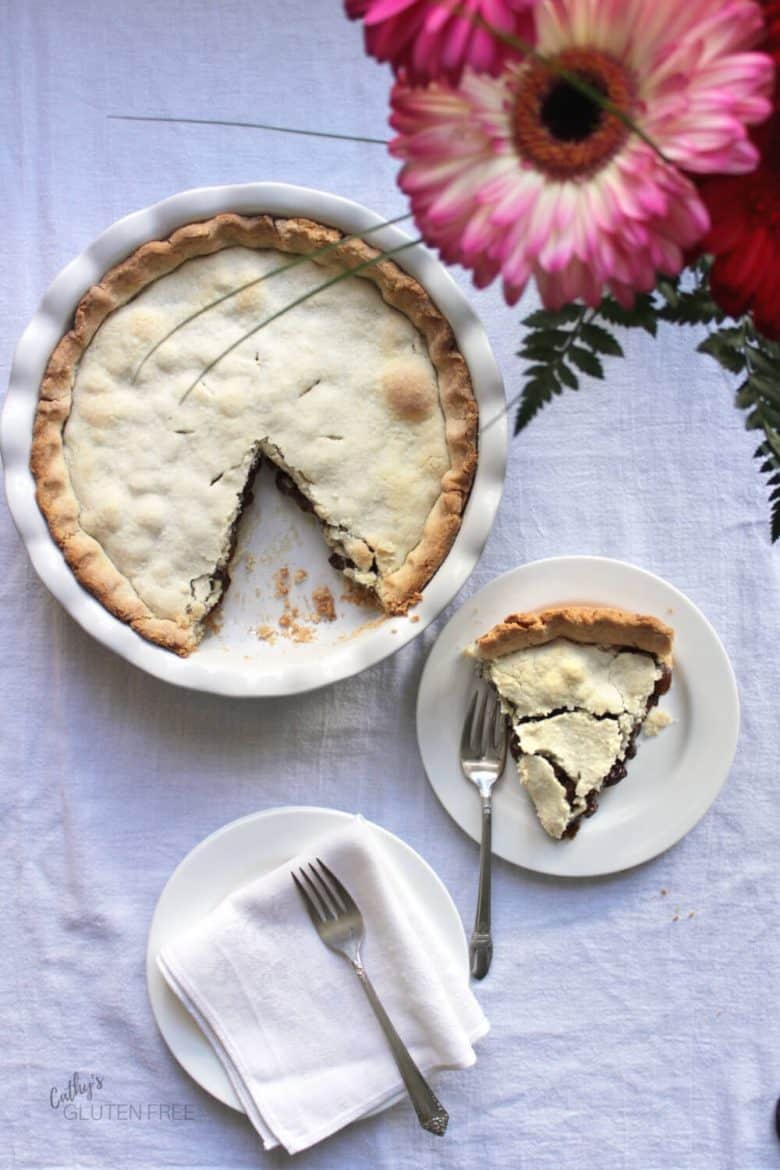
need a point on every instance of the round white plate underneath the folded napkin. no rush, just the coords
(231, 858)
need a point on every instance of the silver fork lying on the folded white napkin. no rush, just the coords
(340, 925)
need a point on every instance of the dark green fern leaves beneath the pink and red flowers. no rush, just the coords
(567, 343)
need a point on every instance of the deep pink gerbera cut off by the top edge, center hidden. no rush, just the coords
(432, 39)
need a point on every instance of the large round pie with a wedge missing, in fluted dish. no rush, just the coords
(184, 370)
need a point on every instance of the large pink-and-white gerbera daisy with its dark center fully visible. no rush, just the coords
(524, 176)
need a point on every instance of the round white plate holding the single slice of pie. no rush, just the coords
(674, 779)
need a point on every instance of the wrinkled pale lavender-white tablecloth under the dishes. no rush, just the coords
(631, 1030)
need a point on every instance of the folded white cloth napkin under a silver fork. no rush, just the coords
(288, 1017)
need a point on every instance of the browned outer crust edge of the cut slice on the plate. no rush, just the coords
(590, 624)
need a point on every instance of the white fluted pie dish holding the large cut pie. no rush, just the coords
(234, 660)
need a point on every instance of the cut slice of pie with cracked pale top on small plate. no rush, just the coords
(577, 684)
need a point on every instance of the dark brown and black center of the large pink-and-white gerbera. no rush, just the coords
(560, 129)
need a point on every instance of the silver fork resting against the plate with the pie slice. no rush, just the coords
(484, 755)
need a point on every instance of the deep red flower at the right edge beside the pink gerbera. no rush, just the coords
(744, 211)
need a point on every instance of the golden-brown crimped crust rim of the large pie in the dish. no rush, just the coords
(56, 494)
